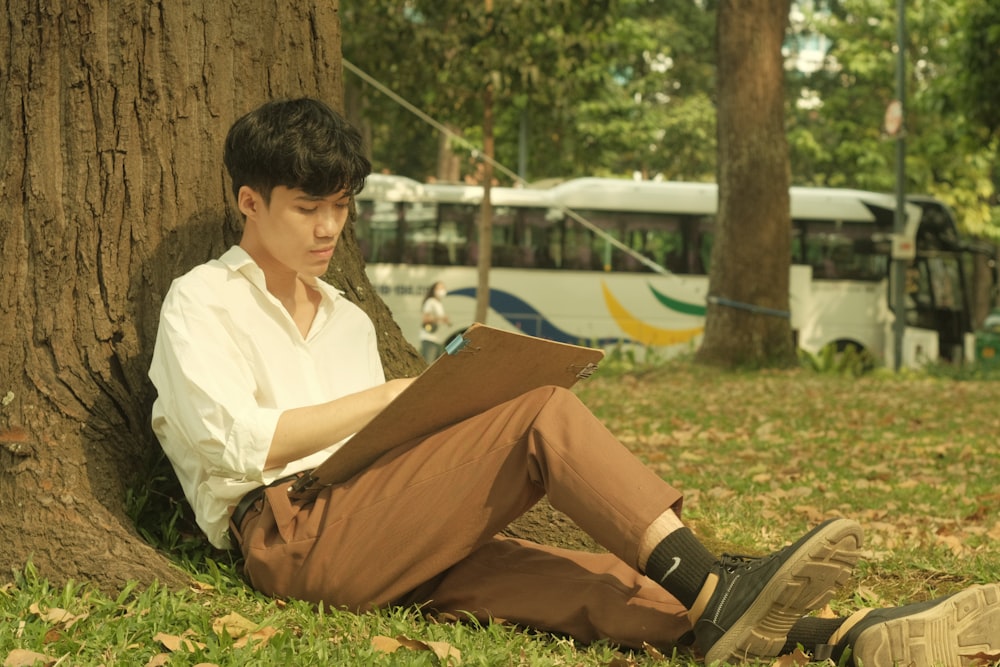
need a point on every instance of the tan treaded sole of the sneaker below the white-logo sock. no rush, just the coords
(806, 581)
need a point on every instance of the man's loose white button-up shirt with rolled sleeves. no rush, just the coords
(228, 361)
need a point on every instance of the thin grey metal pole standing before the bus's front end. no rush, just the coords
(899, 224)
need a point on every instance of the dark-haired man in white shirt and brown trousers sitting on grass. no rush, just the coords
(263, 370)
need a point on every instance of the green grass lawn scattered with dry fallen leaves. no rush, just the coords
(761, 457)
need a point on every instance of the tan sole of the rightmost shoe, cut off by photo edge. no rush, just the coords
(950, 634)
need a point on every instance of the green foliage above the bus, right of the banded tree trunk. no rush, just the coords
(949, 153)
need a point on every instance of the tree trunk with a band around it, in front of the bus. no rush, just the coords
(751, 255)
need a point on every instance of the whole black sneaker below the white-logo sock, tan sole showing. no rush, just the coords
(757, 600)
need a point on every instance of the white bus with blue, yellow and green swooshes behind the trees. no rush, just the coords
(612, 262)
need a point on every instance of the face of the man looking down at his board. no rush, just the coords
(297, 230)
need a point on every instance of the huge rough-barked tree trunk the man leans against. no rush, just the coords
(111, 184)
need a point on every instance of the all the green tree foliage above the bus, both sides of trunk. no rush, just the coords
(628, 86)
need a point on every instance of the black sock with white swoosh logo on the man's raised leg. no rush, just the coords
(680, 563)
